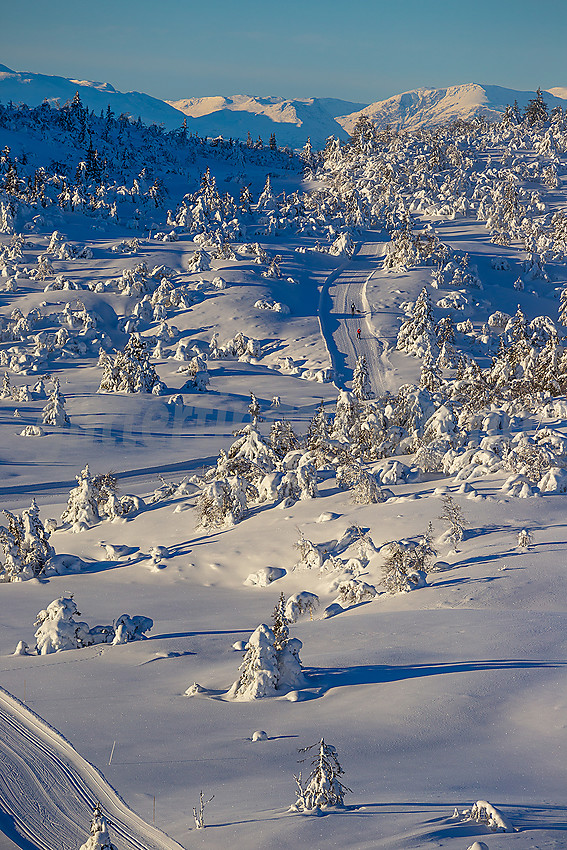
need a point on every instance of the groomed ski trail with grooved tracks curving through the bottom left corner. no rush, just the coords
(48, 791)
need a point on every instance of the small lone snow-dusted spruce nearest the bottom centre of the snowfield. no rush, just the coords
(323, 788)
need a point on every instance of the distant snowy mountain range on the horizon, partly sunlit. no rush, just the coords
(292, 121)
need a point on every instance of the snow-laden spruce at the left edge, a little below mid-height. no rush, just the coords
(26, 545)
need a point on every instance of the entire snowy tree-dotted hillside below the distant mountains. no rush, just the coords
(284, 480)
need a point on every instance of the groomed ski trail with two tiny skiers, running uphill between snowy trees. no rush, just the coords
(339, 326)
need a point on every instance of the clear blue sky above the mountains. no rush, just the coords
(360, 50)
